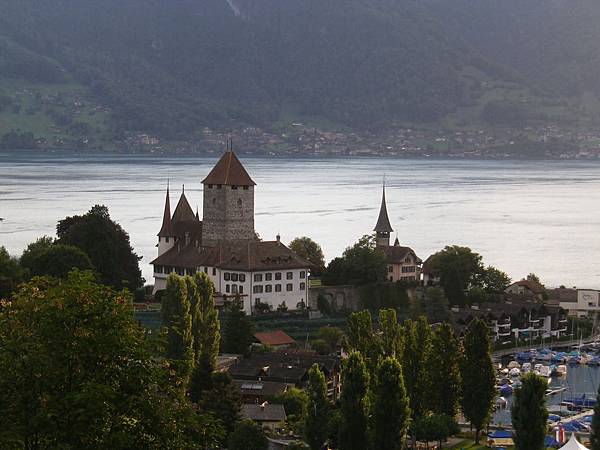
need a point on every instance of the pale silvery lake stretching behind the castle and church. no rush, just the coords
(522, 216)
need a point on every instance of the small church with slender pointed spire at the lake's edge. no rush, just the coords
(403, 264)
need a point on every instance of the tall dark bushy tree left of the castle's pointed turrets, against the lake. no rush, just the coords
(106, 244)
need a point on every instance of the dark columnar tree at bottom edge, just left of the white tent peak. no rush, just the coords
(529, 413)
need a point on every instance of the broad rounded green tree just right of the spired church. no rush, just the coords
(459, 268)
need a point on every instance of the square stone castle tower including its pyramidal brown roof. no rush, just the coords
(228, 211)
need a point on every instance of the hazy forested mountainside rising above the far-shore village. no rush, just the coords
(171, 68)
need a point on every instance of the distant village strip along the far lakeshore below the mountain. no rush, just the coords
(544, 142)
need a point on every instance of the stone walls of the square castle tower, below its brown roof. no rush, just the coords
(228, 214)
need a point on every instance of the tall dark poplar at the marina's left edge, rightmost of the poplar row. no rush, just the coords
(478, 377)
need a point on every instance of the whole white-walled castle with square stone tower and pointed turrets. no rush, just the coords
(225, 246)
